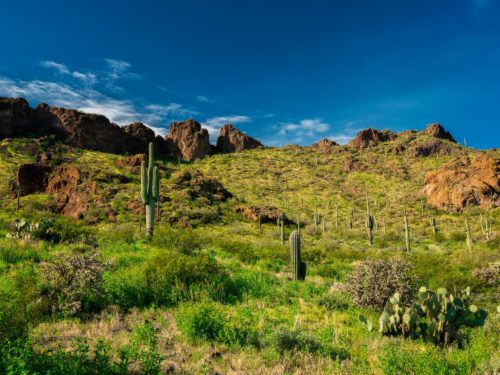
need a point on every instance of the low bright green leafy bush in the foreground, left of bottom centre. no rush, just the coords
(210, 322)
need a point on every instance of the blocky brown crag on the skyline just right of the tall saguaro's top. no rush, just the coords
(188, 140)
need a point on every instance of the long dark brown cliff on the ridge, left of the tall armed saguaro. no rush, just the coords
(93, 131)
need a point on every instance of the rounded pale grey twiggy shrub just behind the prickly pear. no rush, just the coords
(373, 282)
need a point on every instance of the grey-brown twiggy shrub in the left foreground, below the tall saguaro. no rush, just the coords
(73, 284)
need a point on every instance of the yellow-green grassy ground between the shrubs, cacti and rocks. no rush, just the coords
(300, 182)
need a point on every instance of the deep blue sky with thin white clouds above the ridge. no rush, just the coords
(282, 71)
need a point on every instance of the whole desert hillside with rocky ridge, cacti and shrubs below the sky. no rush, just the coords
(393, 228)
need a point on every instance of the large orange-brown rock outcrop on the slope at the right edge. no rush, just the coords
(457, 186)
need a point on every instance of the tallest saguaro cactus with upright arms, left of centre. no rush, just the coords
(150, 189)
